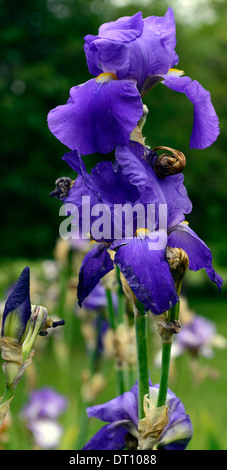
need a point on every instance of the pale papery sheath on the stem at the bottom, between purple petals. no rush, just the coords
(151, 427)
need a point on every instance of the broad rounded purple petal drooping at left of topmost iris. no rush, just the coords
(99, 115)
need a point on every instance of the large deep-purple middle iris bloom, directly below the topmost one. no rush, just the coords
(132, 180)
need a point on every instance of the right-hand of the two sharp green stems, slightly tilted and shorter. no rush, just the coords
(166, 353)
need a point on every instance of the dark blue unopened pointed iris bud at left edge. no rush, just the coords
(17, 309)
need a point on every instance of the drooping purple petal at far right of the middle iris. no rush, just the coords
(200, 256)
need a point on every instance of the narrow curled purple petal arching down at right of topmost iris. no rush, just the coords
(206, 125)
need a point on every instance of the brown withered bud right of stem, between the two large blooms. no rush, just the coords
(166, 165)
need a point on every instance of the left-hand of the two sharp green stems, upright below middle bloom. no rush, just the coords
(142, 359)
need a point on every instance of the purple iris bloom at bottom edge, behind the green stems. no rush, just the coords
(121, 414)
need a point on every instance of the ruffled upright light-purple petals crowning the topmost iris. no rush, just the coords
(133, 47)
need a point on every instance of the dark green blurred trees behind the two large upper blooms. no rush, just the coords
(42, 57)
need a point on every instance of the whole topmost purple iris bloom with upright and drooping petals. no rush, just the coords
(128, 57)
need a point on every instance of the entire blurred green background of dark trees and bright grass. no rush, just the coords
(41, 58)
